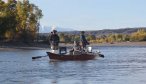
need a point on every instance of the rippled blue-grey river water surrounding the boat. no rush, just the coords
(120, 65)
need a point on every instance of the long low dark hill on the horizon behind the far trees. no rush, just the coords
(104, 32)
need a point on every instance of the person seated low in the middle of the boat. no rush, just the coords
(76, 50)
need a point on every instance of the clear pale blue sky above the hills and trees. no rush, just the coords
(93, 14)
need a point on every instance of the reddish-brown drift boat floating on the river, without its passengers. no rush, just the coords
(82, 56)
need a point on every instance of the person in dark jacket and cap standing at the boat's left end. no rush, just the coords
(54, 40)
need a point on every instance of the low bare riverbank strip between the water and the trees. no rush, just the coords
(40, 46)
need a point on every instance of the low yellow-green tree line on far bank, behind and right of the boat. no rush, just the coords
(139, 35)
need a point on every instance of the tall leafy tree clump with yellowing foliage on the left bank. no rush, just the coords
(19, 20)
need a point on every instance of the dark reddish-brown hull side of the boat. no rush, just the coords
(71, 57)
